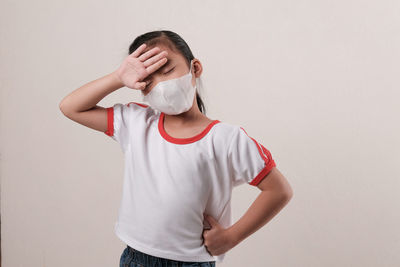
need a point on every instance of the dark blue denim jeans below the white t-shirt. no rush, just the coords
(134, 258)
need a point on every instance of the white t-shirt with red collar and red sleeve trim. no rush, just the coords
(170, 182)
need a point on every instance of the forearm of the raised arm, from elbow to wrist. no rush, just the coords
(88, 95)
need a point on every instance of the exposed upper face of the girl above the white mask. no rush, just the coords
(175, 67)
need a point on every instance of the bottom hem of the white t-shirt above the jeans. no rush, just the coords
(157, 253)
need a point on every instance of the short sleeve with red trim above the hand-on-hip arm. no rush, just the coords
(249, 161)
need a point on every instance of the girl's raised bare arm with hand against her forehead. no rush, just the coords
(81, 104)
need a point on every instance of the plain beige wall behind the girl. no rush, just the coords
(316, 82)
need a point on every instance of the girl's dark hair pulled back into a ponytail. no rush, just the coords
(174, 42)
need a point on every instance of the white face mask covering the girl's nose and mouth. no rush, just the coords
(172, 96)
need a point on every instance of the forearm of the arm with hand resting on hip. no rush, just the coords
(261, 211)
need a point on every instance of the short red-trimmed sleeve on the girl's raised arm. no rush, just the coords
(119, 121)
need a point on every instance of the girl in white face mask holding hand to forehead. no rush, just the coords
(180, 165)
